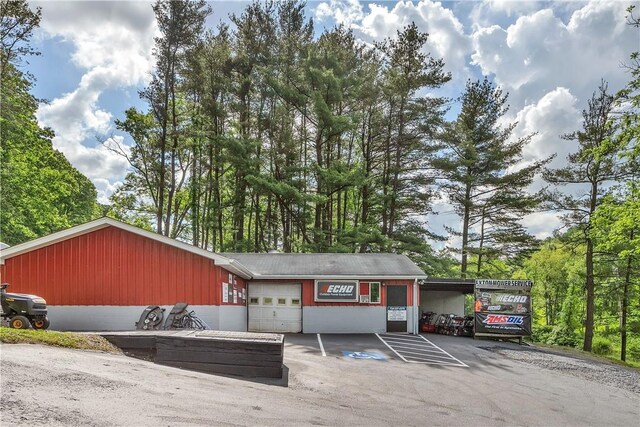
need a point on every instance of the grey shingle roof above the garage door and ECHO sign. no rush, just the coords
(330, 265)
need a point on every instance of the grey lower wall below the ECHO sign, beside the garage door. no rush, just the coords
(344, 319)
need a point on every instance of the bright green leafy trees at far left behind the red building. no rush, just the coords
(40, 192)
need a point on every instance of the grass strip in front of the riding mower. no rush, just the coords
(55, 338)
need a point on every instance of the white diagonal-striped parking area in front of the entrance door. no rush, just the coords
(418, 349)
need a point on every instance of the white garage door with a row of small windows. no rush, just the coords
(275, 308)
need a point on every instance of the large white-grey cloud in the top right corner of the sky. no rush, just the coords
(540, 51)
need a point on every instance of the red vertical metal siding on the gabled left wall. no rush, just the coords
(111, 266)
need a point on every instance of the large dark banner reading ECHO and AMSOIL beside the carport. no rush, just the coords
(503, 307)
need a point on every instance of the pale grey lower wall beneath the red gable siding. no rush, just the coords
(116, 318)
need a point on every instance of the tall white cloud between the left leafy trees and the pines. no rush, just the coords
(112, 43)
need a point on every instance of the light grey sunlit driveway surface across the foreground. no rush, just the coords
(55, 386)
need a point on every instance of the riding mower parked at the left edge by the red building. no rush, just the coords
(22, 310)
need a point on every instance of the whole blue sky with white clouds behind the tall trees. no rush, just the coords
(550, 57)
